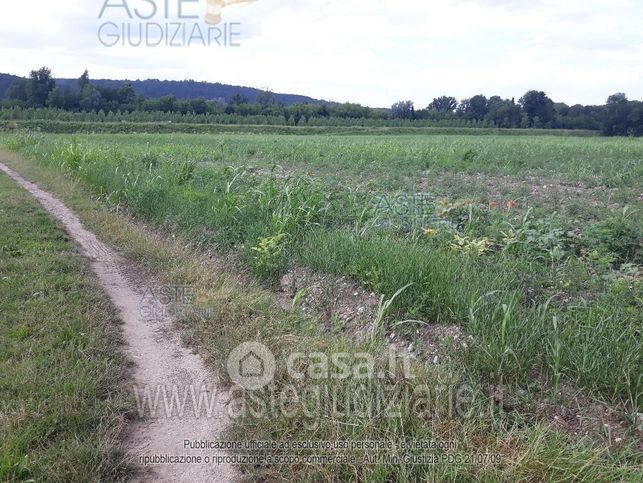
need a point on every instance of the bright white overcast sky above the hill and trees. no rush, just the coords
(374, 52)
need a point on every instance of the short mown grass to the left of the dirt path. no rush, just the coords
(63, 398)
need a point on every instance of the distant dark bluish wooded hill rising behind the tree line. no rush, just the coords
(187, 89)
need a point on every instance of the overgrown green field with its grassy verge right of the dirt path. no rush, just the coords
(505, 264)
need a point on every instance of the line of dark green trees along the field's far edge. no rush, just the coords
(618, 117)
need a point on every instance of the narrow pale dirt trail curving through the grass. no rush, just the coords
(163, 365)
